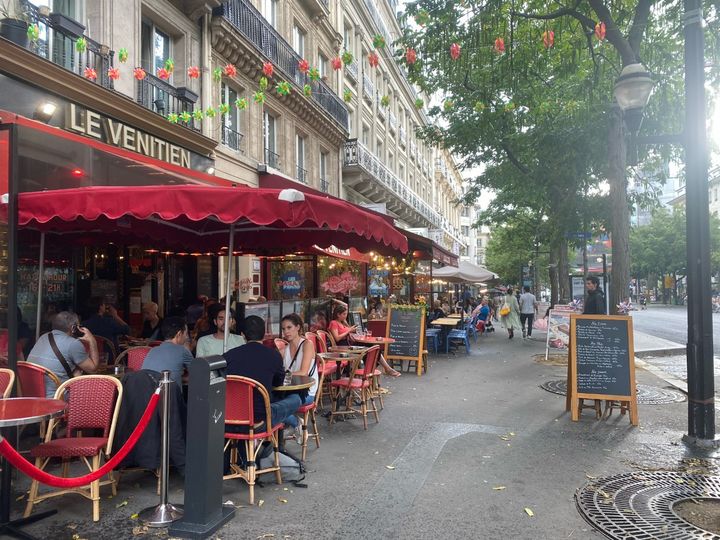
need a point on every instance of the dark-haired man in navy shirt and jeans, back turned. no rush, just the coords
(264, 365)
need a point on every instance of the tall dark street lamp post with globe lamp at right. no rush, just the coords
(632, 92)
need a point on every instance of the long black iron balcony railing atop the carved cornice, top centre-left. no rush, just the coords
(252, 26)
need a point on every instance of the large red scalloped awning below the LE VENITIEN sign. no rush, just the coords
(197, 218)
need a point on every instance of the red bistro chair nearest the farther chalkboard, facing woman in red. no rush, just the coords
(358, 384)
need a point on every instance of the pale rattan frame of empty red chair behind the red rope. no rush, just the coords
(93, 492)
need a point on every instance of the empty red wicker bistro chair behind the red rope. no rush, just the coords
(93, 404)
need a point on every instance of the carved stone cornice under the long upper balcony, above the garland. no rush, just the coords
(232, 46)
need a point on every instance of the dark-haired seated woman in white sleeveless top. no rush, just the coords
(299, 359)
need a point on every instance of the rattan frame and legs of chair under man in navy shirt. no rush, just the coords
(251, 448)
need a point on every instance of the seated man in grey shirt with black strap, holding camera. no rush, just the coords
(71, 358)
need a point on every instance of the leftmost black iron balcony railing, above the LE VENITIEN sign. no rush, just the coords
(56, 43)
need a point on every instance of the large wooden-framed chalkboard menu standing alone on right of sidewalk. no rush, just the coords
(602, 361)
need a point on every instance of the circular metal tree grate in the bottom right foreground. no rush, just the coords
(639, 506)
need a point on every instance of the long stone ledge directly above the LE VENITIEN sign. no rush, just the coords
(27, 66)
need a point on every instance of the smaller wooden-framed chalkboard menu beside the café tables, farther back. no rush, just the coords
(406, 325)
